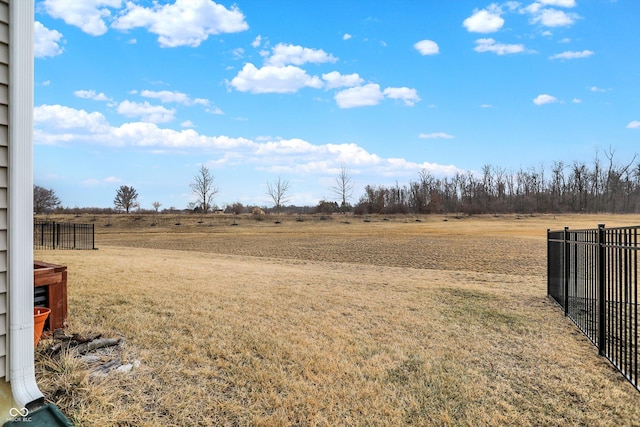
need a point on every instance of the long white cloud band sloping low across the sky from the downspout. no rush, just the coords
(56, 124)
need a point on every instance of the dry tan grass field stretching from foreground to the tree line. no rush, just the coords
(393, 321)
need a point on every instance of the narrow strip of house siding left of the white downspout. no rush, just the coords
(4, 137)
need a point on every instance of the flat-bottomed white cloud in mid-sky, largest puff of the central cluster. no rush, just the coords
(270, 79)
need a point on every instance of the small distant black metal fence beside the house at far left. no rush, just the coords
(62, 235)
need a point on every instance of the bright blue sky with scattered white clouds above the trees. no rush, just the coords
(143, 93)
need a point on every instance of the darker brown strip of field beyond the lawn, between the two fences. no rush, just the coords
(400, 244)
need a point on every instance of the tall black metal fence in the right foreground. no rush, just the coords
(593, 275)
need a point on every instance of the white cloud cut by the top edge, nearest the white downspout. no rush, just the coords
(88, 15)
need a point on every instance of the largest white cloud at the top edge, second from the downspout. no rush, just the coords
(183, 23)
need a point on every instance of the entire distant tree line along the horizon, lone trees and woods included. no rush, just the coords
(602, 186)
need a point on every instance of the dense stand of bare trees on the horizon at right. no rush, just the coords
(603, 186)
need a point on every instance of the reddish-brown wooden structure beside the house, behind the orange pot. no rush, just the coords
(50, 290)
